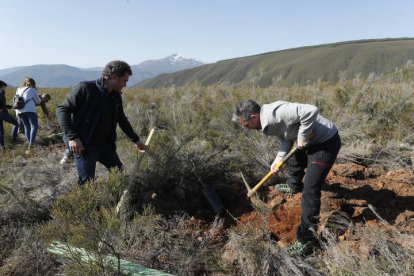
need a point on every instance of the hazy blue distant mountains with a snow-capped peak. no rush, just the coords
(61, 75)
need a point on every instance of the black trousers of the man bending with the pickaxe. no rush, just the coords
(318, 161)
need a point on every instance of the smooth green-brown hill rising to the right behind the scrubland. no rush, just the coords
(299, 65)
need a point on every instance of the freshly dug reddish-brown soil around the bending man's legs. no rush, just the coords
(350, 190)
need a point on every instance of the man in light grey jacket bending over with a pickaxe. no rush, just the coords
(318, 142)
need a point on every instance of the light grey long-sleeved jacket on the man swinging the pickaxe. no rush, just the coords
(290, 121)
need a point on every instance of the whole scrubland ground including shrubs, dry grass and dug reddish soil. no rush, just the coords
(367, 209)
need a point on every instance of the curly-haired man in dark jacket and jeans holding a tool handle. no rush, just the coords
(89, 117)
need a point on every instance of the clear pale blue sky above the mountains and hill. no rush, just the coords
(89, 33)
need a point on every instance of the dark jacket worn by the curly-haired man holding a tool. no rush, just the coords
(80, 112)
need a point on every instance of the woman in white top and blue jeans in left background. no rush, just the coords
(28, 113)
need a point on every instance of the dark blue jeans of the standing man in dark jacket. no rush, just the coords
(86, 163)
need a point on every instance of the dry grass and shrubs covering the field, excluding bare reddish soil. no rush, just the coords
(197, 144)
